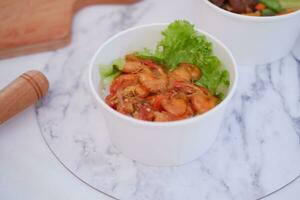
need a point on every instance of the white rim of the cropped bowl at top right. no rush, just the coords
(250, 18)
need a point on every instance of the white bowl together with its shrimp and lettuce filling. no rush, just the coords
(158, 68)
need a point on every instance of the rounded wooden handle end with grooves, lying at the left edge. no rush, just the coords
(22, 93)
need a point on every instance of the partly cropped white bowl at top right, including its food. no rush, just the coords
(253, 39)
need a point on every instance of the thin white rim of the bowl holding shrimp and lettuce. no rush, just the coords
(161, 124)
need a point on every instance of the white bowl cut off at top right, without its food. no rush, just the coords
(252, 40)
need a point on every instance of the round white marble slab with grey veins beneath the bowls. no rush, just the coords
(257, 151)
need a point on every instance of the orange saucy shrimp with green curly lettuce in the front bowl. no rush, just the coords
(158, 86)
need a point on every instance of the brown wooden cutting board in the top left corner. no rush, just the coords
(29, 26)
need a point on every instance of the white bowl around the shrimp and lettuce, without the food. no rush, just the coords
(158, 143)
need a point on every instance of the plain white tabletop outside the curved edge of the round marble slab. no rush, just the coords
(28, 171)
